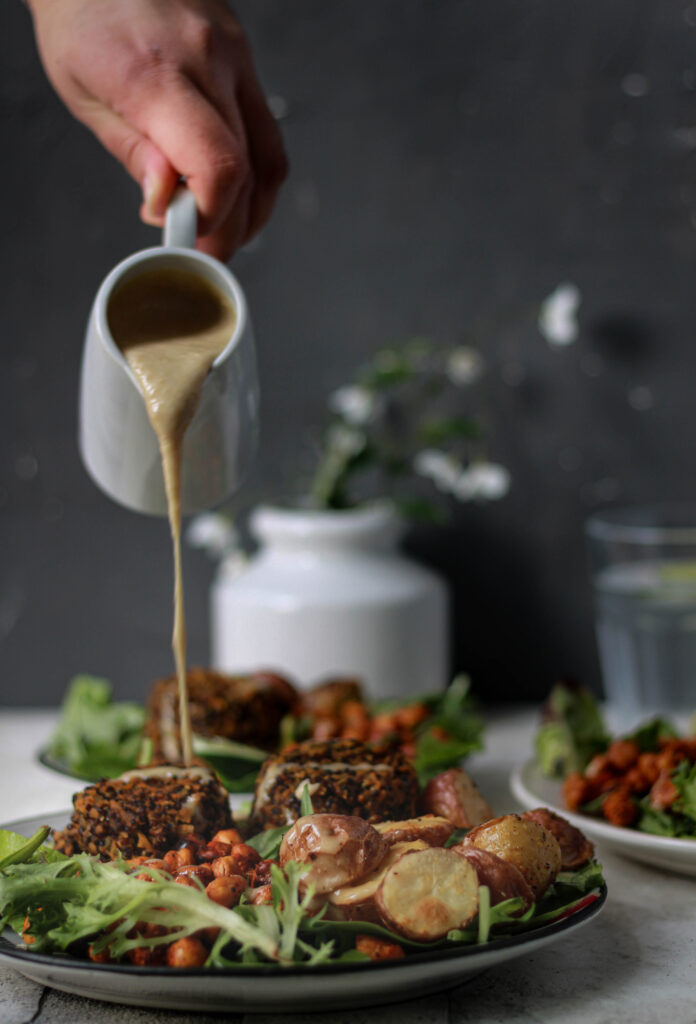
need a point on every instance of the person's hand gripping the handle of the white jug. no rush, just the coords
(169, 89)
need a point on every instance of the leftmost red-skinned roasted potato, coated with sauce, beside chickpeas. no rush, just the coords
(339, 850)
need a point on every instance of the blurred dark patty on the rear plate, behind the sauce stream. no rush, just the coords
(246, 709)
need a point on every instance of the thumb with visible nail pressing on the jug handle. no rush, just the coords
(144, 161)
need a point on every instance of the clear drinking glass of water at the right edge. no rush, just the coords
(643, 569)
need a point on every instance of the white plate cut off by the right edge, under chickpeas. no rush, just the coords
(533, 789)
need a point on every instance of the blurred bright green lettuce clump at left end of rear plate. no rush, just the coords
(97, 738)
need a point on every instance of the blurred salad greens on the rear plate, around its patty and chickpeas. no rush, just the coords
(98, 738)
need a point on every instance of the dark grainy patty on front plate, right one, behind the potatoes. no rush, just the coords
(345, 777)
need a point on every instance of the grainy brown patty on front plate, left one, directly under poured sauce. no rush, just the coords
(145, 816)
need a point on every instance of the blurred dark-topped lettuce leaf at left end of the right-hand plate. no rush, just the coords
(573, 733)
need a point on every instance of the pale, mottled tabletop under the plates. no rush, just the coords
(634, 965)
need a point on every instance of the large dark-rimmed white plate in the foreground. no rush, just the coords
(275, 989)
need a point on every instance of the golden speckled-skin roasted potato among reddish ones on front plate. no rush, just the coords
(526, 844)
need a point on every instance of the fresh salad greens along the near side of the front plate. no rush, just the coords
(75, 902)
